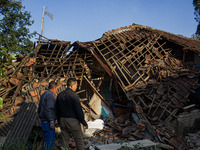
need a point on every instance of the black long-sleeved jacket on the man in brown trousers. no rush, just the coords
(68, 106)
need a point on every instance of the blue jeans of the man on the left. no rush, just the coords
(49, 135)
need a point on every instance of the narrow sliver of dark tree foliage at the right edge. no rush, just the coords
(196, 4)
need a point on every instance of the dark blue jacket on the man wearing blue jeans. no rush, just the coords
(47, 108)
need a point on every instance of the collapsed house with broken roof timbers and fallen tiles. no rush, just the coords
(132, 72)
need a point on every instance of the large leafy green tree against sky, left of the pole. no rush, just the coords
(14, 32)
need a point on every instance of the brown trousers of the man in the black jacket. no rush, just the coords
(71, 126)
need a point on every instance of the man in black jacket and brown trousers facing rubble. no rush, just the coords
(70, 115)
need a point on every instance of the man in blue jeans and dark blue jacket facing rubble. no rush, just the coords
(47, 114)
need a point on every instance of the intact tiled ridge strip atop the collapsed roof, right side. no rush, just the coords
(187, 43)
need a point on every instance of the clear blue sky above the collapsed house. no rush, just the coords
(88, 20)
